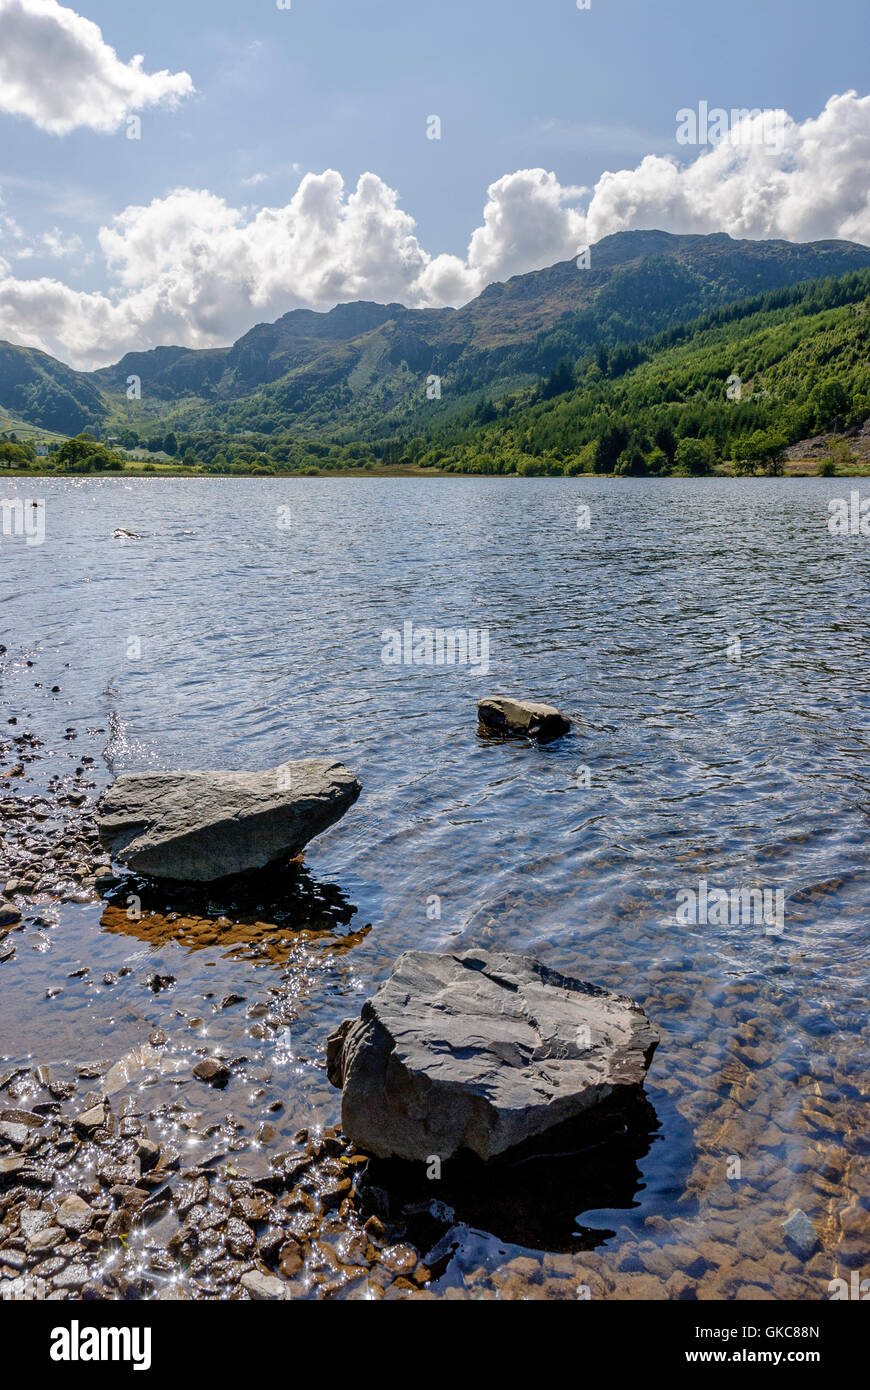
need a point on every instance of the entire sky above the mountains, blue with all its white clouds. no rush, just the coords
(174, 173)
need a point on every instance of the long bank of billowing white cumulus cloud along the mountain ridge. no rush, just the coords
(191, 269)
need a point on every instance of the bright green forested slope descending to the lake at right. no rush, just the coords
(744, 383)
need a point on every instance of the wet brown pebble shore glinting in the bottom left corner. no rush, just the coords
(91, 1207)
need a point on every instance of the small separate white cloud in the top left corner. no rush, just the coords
(58, 72)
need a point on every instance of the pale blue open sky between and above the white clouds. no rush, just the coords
(350, 85)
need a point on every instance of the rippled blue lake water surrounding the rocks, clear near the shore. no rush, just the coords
(263, 643)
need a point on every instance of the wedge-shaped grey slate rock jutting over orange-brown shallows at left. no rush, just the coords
(205, 826)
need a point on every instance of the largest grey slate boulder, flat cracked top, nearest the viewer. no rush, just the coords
(482, 1052)
